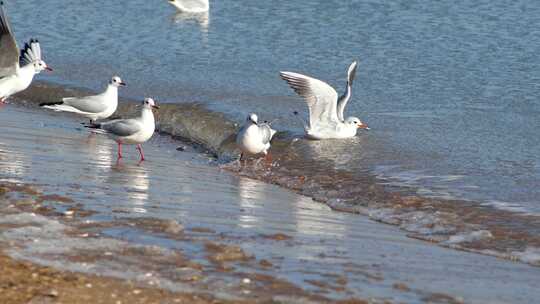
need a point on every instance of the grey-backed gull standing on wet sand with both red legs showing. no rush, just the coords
(130, 131)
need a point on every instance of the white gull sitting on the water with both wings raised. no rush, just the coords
(326, 110)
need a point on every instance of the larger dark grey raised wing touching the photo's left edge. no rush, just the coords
(9, 52)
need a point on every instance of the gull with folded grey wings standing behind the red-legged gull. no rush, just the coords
(95, 107)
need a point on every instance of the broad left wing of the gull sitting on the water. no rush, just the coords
(320, 97)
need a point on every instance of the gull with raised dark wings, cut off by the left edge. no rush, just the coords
(17, 68)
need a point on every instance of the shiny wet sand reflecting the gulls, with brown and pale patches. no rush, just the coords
(181, 224)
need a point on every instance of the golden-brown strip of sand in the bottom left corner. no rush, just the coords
(24, 282)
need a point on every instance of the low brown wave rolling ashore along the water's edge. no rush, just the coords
(316, 170)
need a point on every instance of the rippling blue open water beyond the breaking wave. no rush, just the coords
(450, 89)
